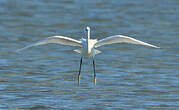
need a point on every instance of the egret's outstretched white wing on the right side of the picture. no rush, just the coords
(121, 39)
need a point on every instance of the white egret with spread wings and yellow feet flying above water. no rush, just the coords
(88, 46)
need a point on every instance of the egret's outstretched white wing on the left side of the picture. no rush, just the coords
(55, 39)
